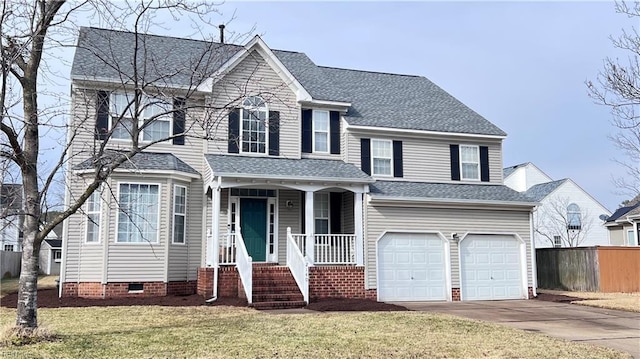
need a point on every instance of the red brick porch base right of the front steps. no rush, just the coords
(338, 282)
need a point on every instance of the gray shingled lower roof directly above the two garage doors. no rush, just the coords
(447, 191)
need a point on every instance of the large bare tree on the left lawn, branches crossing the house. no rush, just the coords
(152, 83)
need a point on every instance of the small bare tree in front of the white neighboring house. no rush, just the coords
(561, 222)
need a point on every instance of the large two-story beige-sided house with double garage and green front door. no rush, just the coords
(349, 183)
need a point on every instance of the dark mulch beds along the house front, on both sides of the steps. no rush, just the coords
(48, 298)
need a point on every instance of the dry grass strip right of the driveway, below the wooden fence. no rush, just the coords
(620, 301)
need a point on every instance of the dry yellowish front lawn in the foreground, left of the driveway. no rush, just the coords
(223, 332)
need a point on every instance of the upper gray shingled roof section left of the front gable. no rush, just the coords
(108, 54)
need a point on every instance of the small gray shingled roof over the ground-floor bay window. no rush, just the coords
(146, 161)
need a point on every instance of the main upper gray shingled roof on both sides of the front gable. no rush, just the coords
(378, 99)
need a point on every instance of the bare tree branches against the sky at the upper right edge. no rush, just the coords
(618, 87)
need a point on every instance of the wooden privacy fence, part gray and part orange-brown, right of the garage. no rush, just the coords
(589, 269)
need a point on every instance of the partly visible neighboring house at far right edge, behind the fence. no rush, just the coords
(624, 225)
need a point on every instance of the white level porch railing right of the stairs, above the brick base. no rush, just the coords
(330, 248)
